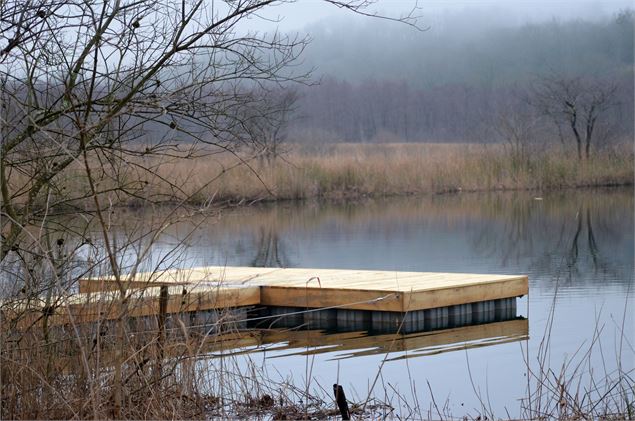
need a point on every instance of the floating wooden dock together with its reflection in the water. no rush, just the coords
(298, 311)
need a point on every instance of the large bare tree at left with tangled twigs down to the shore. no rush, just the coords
(94, 97)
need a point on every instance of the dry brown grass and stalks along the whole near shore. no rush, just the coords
(185, 372)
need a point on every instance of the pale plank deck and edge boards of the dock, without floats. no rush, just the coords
(349, 289)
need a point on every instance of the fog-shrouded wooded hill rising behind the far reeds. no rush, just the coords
(384, 81)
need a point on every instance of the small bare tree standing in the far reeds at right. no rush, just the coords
(576, 103)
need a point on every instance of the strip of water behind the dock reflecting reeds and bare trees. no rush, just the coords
(577, 237)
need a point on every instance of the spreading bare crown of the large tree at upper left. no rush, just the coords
(87, 87)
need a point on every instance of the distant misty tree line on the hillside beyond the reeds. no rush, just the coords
(465, 86)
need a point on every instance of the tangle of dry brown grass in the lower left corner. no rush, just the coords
(76, 372)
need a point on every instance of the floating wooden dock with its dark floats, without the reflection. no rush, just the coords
(361, 299)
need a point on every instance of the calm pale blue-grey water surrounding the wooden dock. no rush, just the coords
(575, 246)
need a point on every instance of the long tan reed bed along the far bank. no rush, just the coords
(342, 171)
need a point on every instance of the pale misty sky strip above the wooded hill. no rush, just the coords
(305, 13)
